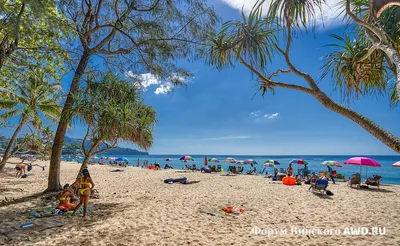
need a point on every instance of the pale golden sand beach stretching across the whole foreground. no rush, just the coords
(136, 208)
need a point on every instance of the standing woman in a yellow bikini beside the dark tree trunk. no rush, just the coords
(84, 181)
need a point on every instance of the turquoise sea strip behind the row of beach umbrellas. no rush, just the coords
(390, 175)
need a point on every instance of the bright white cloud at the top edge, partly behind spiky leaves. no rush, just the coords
(327, 16)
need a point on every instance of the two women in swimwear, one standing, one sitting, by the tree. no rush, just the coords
(83, 185)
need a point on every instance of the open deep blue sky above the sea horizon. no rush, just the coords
(219, 112)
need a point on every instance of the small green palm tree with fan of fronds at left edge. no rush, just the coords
(27, 100)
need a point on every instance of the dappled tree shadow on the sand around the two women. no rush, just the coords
(100, 213)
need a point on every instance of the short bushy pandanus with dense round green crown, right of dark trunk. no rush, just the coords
(113, 111)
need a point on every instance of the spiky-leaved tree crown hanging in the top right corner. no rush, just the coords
(369, 61)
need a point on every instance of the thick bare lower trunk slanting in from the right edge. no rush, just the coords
(374, 129)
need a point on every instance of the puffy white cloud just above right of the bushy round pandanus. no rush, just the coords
(145, 80)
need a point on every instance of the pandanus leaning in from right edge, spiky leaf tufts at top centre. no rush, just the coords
(253, 42)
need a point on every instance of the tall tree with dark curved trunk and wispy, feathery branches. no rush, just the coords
(138, 36)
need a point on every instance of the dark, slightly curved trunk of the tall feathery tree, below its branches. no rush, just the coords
(54, 173)
